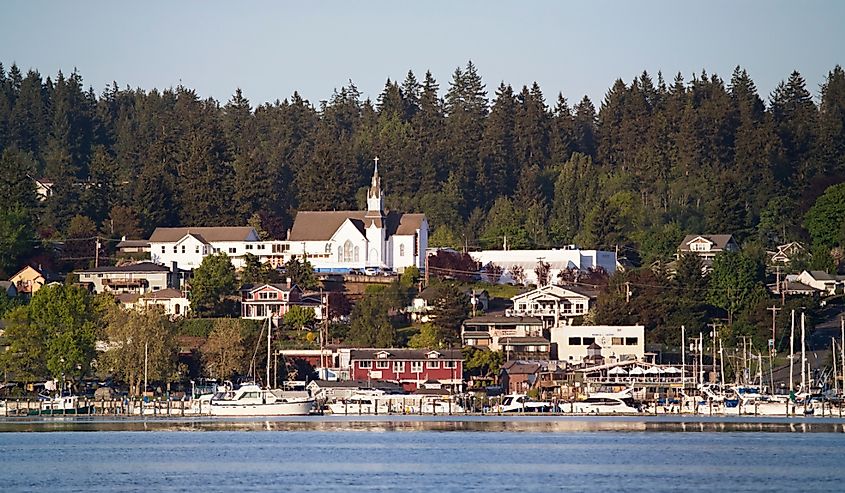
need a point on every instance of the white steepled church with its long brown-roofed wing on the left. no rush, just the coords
(332, 241)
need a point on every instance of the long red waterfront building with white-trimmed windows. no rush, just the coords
(409, 367)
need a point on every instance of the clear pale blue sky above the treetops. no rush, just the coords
(270, 49)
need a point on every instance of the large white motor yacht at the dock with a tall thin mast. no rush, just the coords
(252, 400)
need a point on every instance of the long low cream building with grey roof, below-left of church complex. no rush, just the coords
(140, 278)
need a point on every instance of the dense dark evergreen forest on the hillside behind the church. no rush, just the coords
(654, 159)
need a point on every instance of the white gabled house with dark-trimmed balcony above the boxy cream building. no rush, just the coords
(554, 305)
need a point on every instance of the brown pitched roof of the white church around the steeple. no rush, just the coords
(321, 225)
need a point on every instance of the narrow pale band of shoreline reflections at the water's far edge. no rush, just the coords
(440, 424)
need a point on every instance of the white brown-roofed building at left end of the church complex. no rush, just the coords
(188, 246)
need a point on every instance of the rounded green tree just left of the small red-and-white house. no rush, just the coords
(213, 282)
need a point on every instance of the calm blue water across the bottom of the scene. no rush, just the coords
(421, 455)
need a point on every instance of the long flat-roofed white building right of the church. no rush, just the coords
(559, 259)
